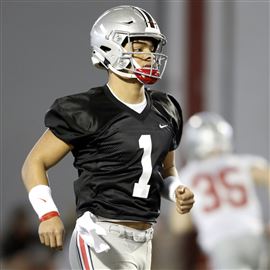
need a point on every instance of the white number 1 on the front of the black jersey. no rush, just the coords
(141, 189)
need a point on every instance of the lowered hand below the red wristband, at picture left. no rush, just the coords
(52, 232)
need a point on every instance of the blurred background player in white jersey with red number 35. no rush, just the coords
(227, 215)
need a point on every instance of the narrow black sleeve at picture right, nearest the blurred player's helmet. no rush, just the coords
(176, 121)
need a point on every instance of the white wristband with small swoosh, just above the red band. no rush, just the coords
(41, 200)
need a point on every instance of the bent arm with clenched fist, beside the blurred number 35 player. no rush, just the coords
(173, 189)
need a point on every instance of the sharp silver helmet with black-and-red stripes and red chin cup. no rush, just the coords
(119, 26)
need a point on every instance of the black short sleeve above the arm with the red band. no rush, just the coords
(64, 120)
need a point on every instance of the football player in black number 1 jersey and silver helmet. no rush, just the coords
(123, 137)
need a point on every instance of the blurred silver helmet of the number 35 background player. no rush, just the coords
(206, 133)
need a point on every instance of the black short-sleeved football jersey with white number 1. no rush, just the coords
(118, 152)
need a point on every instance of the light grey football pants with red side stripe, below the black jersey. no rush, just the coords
(130, 249)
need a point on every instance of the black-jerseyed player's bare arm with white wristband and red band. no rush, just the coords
(47, 152)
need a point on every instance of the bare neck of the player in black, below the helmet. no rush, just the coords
(129, 91)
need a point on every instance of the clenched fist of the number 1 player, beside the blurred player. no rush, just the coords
(184, 199)
